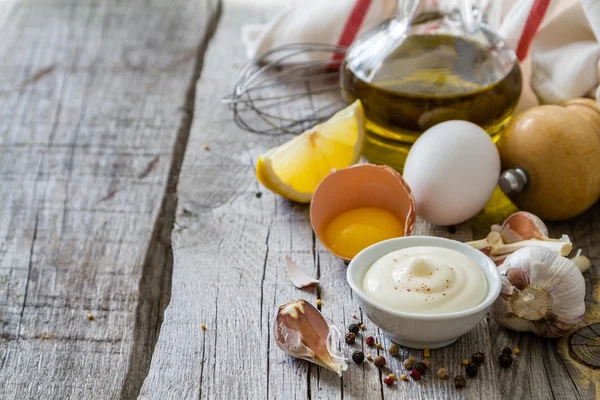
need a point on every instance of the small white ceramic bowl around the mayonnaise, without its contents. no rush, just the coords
(421, 331)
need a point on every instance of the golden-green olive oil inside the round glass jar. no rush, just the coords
(429, 79)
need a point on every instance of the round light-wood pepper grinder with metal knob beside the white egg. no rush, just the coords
(551, 159)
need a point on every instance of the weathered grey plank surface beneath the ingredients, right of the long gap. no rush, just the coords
(229, 273)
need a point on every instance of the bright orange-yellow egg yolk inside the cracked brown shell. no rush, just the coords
(354, 230)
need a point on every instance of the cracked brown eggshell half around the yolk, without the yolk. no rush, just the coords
(361, 185)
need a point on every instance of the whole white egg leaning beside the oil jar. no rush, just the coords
(452, 169)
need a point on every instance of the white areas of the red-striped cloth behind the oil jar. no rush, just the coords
(563, 62)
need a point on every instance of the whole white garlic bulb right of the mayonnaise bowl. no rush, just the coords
(542, 292)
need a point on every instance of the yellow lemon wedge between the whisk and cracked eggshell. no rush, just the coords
(294, 169)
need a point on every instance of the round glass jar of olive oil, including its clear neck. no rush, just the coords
(436, 61)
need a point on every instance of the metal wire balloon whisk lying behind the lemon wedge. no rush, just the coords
(282, 92)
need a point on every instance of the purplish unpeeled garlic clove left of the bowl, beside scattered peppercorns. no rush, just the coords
(301, 331)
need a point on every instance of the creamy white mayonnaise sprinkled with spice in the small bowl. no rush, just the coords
(426, 280)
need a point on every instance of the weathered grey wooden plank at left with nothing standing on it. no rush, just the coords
(92, 102)
